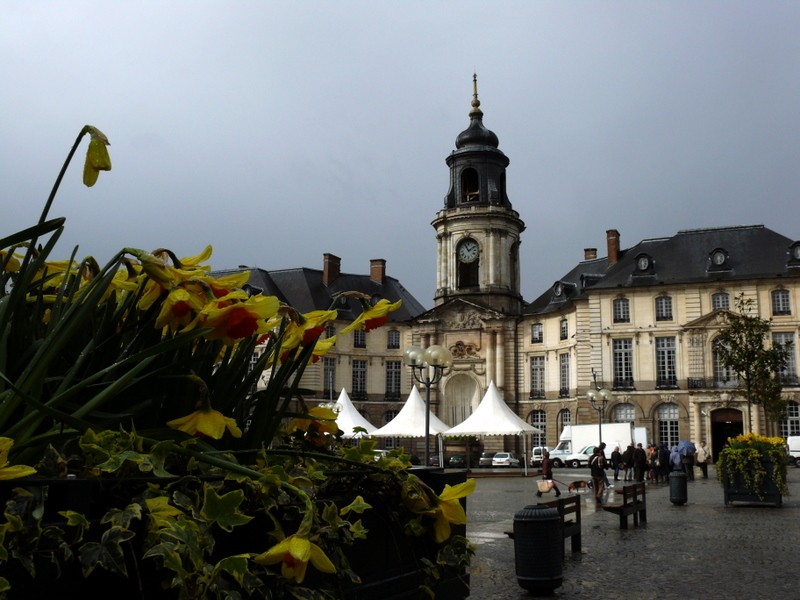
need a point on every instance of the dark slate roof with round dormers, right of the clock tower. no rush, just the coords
(752, 252)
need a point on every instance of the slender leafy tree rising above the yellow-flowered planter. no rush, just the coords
(743, 347)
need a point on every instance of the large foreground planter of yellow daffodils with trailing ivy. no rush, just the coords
(139, 450)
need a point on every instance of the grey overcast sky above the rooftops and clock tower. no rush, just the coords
(278, 131)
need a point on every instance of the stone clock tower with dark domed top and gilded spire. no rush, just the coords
(477, 231)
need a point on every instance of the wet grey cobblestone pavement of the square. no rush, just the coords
(702, 549)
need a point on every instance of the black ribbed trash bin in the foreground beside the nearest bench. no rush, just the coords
(537, 549)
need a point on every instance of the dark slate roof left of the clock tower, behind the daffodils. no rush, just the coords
(302, 288)
